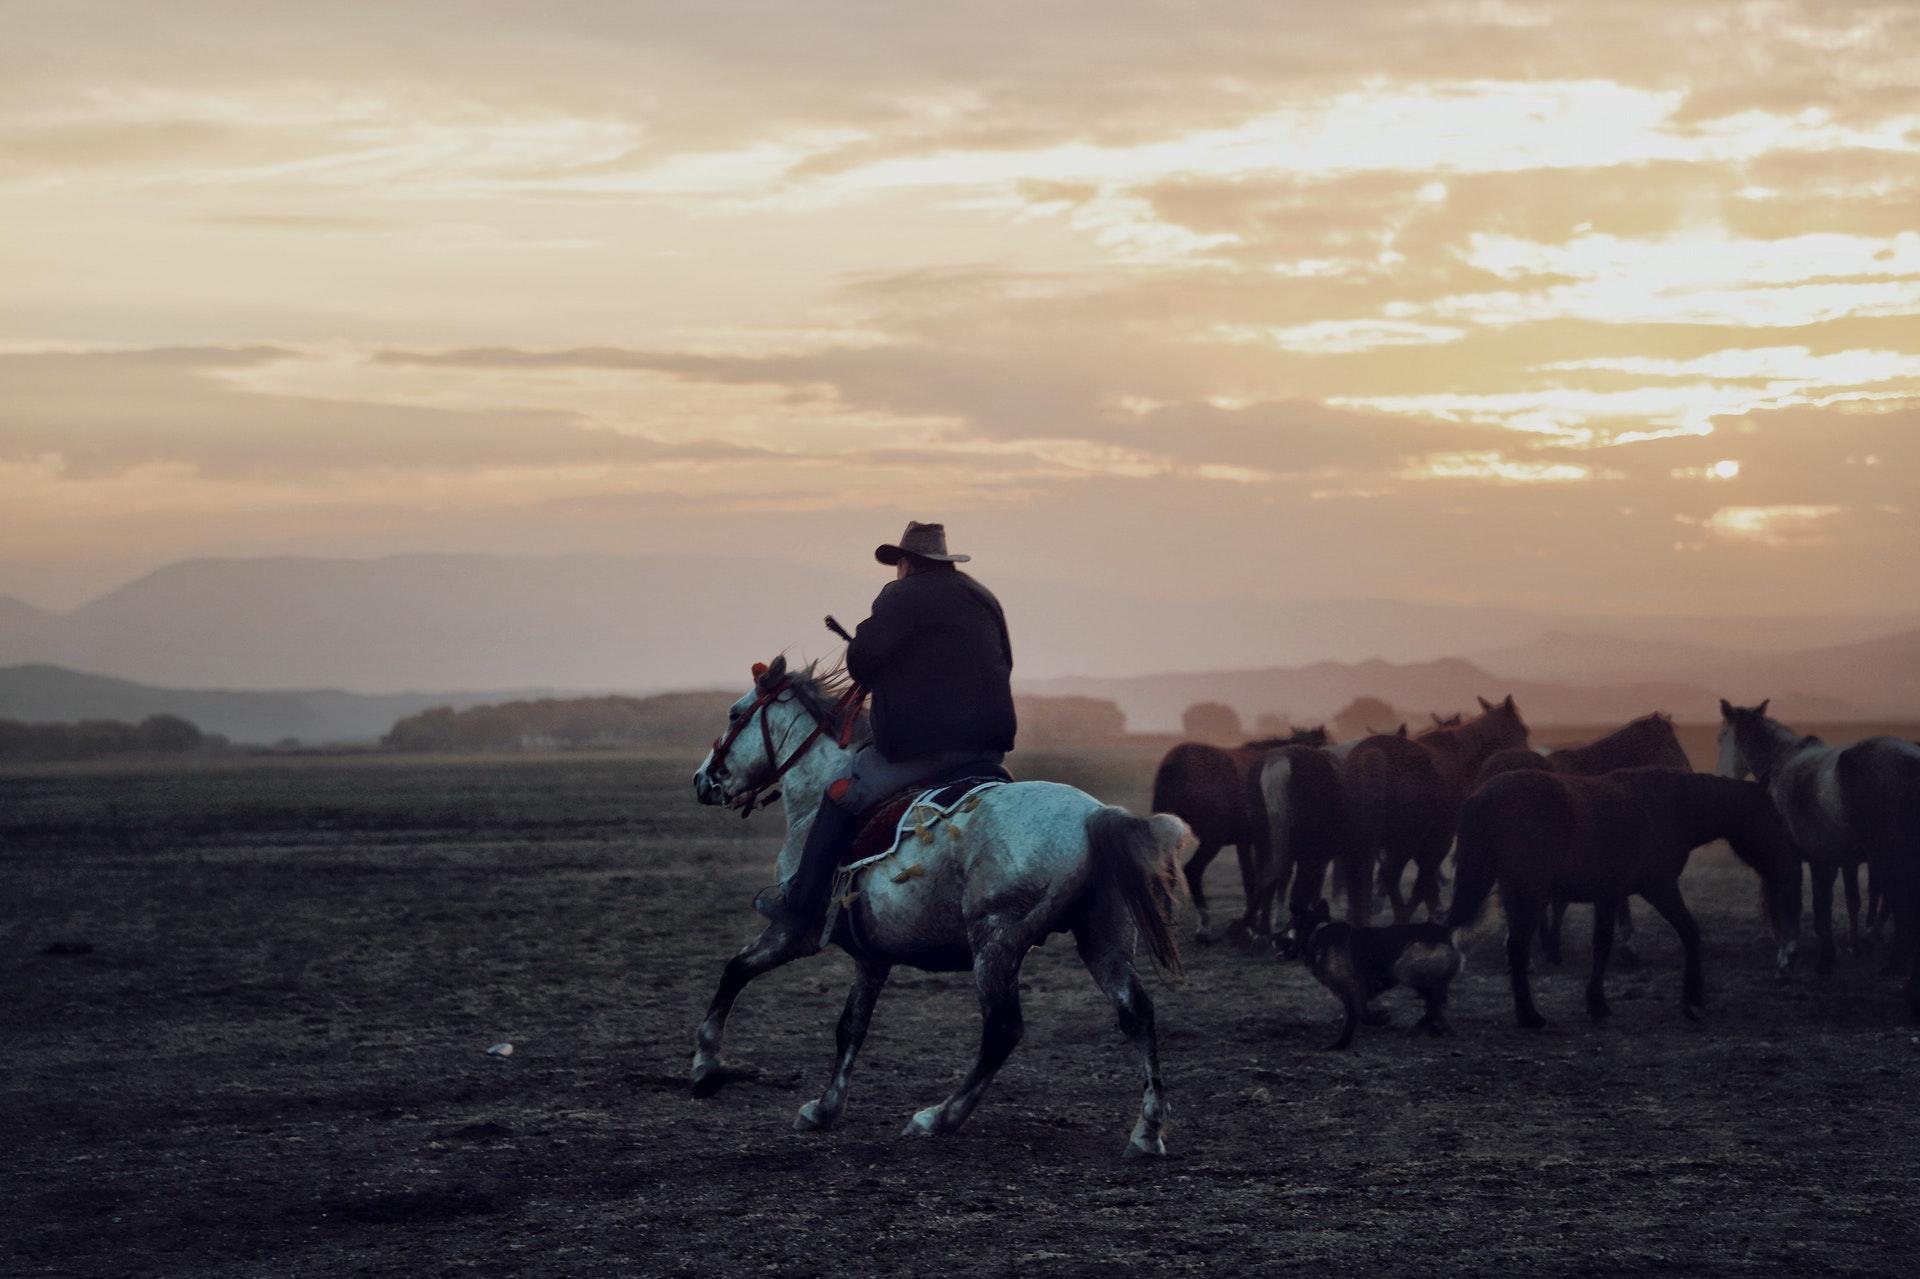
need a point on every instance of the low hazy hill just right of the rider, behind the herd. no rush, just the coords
(1316, 692)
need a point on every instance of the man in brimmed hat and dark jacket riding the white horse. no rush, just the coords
(938, 664)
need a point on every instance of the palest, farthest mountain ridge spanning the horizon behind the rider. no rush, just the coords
(654, 623)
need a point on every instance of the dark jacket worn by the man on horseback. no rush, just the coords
(940, 667)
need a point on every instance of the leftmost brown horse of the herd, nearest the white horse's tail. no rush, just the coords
(1207, 788)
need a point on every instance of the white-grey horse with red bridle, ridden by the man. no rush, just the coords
(1030, 861)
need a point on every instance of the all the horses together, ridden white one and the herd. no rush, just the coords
(1310, 819)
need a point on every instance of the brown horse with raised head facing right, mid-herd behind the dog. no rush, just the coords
(1408, 794)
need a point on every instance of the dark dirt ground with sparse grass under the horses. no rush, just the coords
(249, 1011)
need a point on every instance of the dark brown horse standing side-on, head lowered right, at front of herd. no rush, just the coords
(1548, 834)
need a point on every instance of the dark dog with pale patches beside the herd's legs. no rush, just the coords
(1362, 963)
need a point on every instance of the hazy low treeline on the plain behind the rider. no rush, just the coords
(684, 721)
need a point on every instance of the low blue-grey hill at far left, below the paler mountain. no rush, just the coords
(320, 717)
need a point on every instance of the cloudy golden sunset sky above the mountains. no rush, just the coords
(1489, 302)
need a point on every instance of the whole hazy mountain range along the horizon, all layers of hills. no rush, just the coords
(410, 627)
